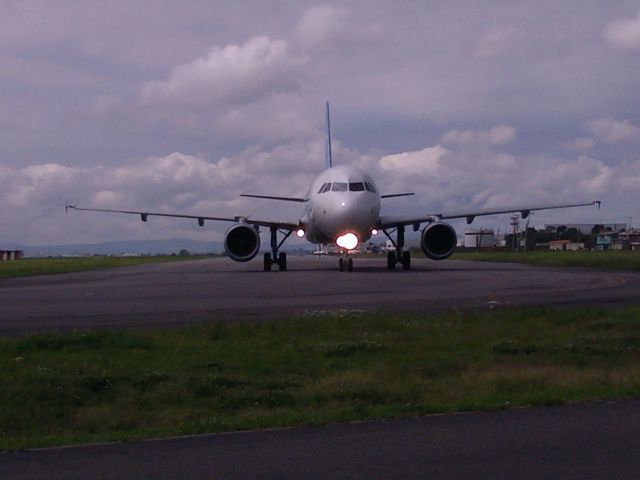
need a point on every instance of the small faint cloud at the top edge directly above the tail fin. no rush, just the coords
(320, 24)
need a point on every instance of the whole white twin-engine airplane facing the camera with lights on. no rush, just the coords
(342, 207)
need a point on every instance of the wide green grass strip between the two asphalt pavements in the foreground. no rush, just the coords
(117, 385)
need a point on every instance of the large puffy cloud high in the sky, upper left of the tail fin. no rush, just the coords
(234, 74)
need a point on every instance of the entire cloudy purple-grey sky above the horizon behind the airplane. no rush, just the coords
(182, 106)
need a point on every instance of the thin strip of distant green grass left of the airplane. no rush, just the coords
(46, 266)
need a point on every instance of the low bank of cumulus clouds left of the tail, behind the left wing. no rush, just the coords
(177, 182)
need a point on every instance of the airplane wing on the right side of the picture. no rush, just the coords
(399, 220)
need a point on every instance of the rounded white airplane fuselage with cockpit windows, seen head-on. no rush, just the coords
(342, 200)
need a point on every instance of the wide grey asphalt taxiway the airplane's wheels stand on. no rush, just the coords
(196, 291)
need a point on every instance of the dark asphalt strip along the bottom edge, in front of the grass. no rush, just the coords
(583, 441)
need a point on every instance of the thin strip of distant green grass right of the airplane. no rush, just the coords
(616, 260)
